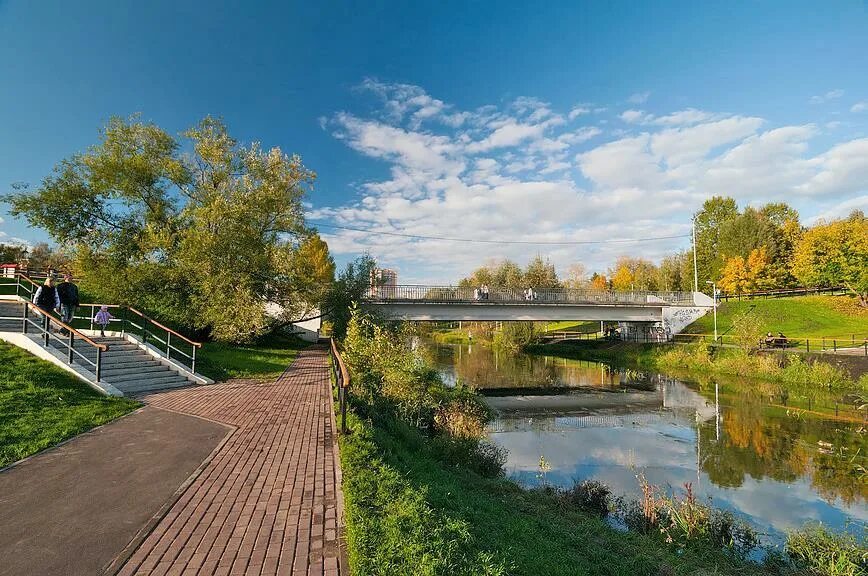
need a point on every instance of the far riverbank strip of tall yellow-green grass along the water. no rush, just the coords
(789, 370)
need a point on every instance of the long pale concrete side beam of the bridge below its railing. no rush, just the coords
(489, 312)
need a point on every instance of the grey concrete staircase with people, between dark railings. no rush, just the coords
(126, 365)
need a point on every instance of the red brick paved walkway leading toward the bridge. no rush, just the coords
(268, 502)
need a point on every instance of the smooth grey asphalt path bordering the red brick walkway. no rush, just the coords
(69, 511)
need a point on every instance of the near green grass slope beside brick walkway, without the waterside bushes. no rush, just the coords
(410, 514)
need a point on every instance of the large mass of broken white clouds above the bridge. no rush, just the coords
(524, 171)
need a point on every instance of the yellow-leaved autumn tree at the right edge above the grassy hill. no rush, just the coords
(835, 254)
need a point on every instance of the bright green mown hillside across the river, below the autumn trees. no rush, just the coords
(814, 316)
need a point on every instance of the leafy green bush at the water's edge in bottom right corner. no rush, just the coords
(823, 552)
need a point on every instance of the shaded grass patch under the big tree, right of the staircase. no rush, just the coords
(265, 359)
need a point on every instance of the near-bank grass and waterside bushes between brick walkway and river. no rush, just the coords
(425, 493)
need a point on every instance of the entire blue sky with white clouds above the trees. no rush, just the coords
(502, 121)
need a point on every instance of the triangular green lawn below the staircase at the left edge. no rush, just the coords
(41, 405)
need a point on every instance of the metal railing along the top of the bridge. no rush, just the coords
(459, 294)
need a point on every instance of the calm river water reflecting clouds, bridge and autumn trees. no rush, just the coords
(777, 459)
